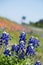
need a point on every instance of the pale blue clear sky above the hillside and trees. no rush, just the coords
(15, 9)
